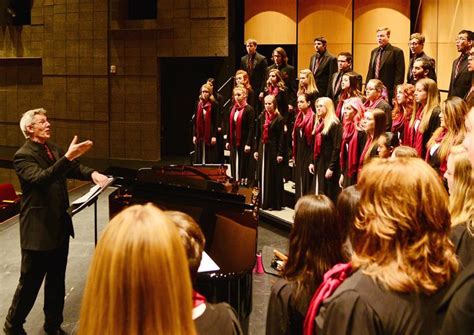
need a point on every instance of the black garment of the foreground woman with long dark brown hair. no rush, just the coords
(285, 314)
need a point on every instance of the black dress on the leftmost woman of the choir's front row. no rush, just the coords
(205, 153)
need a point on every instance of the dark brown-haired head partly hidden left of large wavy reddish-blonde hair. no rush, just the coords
(347, 208)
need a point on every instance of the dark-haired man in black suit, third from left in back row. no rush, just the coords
(322, 64)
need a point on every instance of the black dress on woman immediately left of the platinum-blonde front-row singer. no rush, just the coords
(303, 158)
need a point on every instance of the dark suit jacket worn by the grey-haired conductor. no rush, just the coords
(44, 222)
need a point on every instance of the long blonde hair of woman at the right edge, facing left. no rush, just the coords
(460, 199)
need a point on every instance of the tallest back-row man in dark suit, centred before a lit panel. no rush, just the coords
(387, 63)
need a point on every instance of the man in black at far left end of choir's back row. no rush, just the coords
(255, 64)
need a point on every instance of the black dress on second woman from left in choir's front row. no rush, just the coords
(239, 159)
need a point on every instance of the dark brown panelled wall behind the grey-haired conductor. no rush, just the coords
(61, 62)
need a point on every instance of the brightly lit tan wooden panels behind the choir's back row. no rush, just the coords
(439, 21)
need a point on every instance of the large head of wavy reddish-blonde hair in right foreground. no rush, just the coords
(401, 231)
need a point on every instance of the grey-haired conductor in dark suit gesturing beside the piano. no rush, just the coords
(45, 226)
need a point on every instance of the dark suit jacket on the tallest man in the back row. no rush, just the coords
(392, 69)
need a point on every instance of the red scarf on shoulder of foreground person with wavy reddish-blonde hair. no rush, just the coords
(332, 280)
